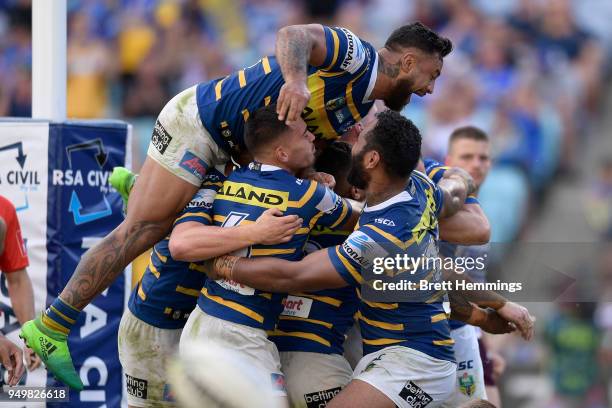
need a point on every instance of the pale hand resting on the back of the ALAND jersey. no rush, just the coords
(273, 228)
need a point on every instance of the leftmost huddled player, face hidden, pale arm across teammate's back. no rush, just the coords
(162, 300)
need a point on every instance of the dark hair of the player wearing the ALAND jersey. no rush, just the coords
(262, 128)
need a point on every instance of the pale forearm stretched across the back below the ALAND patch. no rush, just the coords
(205, 242)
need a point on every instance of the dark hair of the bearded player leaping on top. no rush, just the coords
(419, 36)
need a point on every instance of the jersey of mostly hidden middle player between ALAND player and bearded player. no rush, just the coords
(317, 322)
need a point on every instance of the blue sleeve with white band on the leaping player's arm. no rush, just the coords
(345, 51)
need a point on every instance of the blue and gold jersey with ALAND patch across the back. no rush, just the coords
(245, 195)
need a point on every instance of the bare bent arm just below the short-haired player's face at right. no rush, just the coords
(469, 226)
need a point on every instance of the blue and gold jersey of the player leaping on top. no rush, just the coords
(340, 91)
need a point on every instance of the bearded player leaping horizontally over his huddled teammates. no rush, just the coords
(327, 74)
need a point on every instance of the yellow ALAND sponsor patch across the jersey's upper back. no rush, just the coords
(251, 195)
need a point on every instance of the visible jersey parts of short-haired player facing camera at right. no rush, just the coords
(435, 171)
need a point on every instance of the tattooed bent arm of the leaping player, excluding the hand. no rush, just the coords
(294, 50)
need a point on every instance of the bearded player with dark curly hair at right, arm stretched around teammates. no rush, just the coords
(408, 351)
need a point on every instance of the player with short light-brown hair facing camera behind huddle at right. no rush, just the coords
(469, 149)
